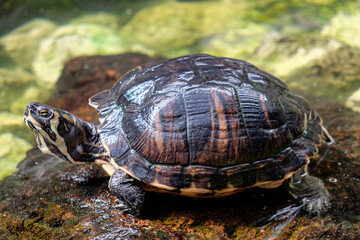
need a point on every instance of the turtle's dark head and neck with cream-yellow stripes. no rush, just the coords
(63, 135)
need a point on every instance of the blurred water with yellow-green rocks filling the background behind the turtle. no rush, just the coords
(311, 45)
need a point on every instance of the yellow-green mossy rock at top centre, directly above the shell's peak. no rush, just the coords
(177, 25)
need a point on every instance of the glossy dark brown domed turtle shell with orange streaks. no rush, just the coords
(201, 125)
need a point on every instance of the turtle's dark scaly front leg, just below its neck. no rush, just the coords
(128, 191)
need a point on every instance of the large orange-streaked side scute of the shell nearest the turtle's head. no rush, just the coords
(157, 130)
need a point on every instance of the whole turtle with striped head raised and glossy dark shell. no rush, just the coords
(196, 126)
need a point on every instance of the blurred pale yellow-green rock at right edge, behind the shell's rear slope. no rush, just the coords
(320, 66)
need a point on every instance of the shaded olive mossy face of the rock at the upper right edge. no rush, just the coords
(336, 75)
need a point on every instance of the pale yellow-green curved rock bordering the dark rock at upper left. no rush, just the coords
(69, 41)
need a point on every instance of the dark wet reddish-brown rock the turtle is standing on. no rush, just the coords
(51, 199)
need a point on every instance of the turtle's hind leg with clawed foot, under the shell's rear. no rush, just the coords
(310, 191)
